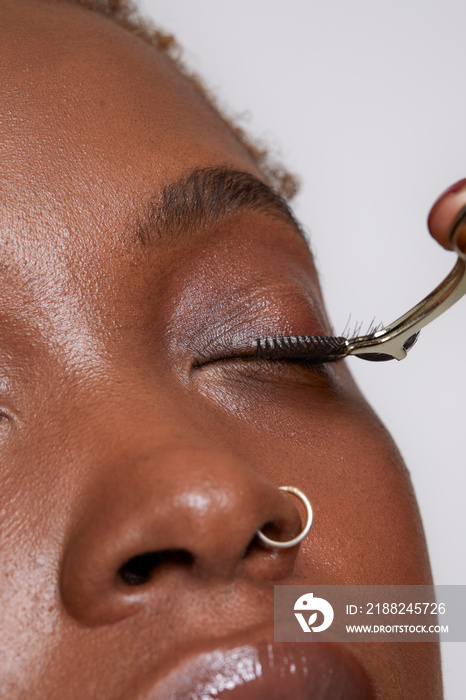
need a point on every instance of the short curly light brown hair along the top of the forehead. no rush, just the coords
(125, 13)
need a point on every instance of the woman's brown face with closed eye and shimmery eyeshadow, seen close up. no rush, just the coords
(130, 425)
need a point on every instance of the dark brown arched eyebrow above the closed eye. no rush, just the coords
(202, 198)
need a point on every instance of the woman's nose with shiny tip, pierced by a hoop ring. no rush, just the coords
(184, 512)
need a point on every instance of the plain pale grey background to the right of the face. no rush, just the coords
(366, 102)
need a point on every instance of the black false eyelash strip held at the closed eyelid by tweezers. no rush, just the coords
(308, 348)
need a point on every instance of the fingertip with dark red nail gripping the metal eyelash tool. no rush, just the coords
(443, 213)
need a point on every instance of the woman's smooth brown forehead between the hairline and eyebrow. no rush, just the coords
(94, 119)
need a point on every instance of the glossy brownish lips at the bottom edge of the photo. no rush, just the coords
(260, 669)
